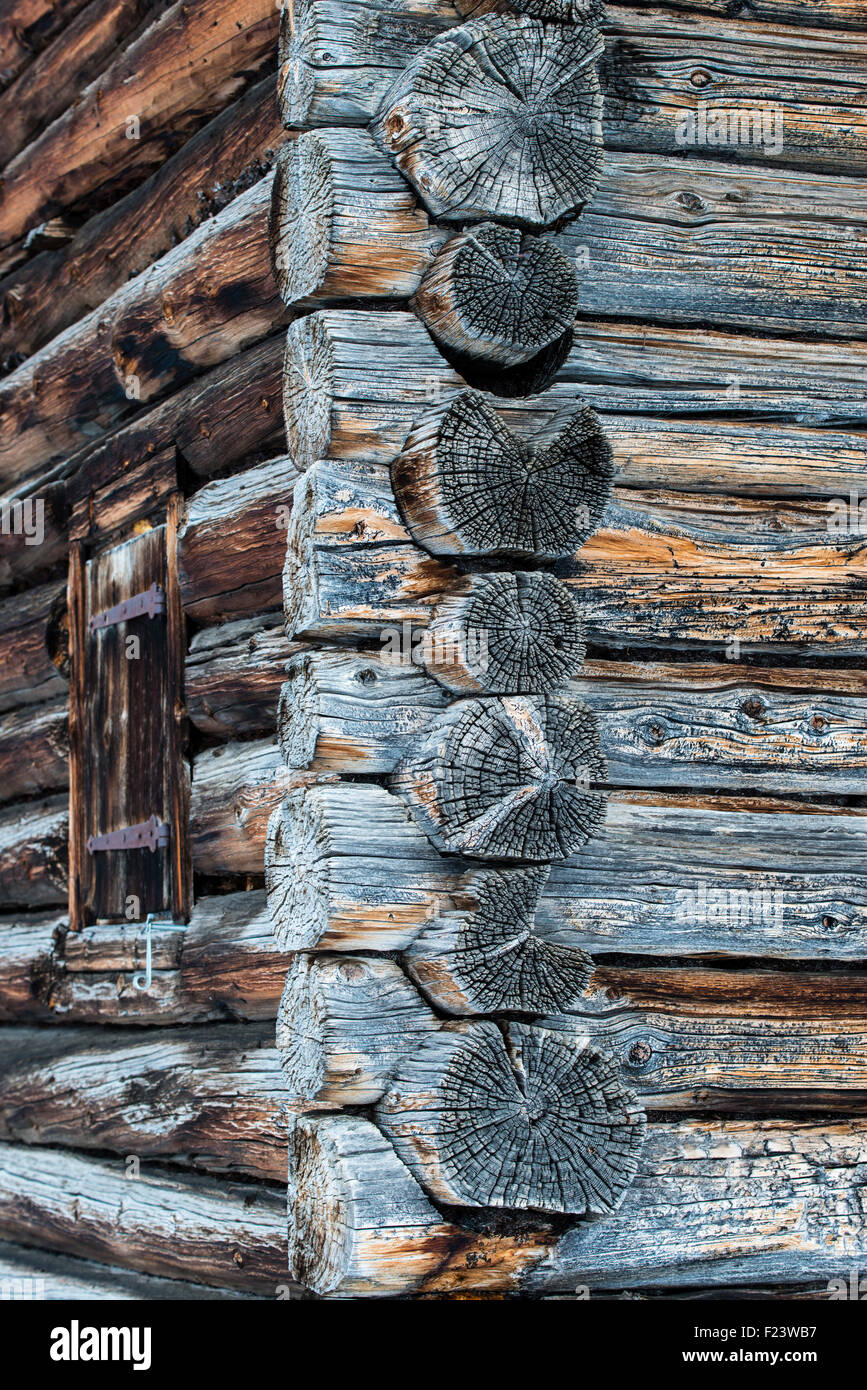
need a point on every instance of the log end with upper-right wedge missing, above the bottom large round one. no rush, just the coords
(486, 956)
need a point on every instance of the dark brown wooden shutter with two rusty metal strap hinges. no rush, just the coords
(126, 736)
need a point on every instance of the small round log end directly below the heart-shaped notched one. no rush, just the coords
(516, 633)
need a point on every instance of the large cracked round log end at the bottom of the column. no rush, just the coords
(531, 1121)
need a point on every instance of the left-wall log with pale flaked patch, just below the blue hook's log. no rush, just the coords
(210, 1097)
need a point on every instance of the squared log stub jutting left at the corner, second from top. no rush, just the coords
(344, 223)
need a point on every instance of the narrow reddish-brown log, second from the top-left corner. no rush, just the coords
(58, 76)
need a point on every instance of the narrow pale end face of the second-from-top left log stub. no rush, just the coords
(302, 213)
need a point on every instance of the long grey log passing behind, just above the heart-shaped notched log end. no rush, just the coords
(358, 382)
